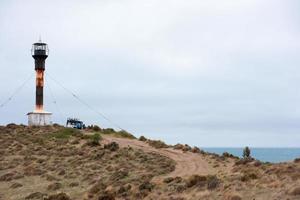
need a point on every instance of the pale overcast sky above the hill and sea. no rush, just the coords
(206, 73)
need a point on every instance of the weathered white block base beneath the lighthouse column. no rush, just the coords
(41, 118)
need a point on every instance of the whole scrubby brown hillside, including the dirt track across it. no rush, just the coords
(56, 163)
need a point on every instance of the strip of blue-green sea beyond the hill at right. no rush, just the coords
(274, 155)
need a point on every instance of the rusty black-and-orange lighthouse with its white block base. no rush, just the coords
(39, 117)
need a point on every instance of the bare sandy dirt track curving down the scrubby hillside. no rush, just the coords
(187, 163)
